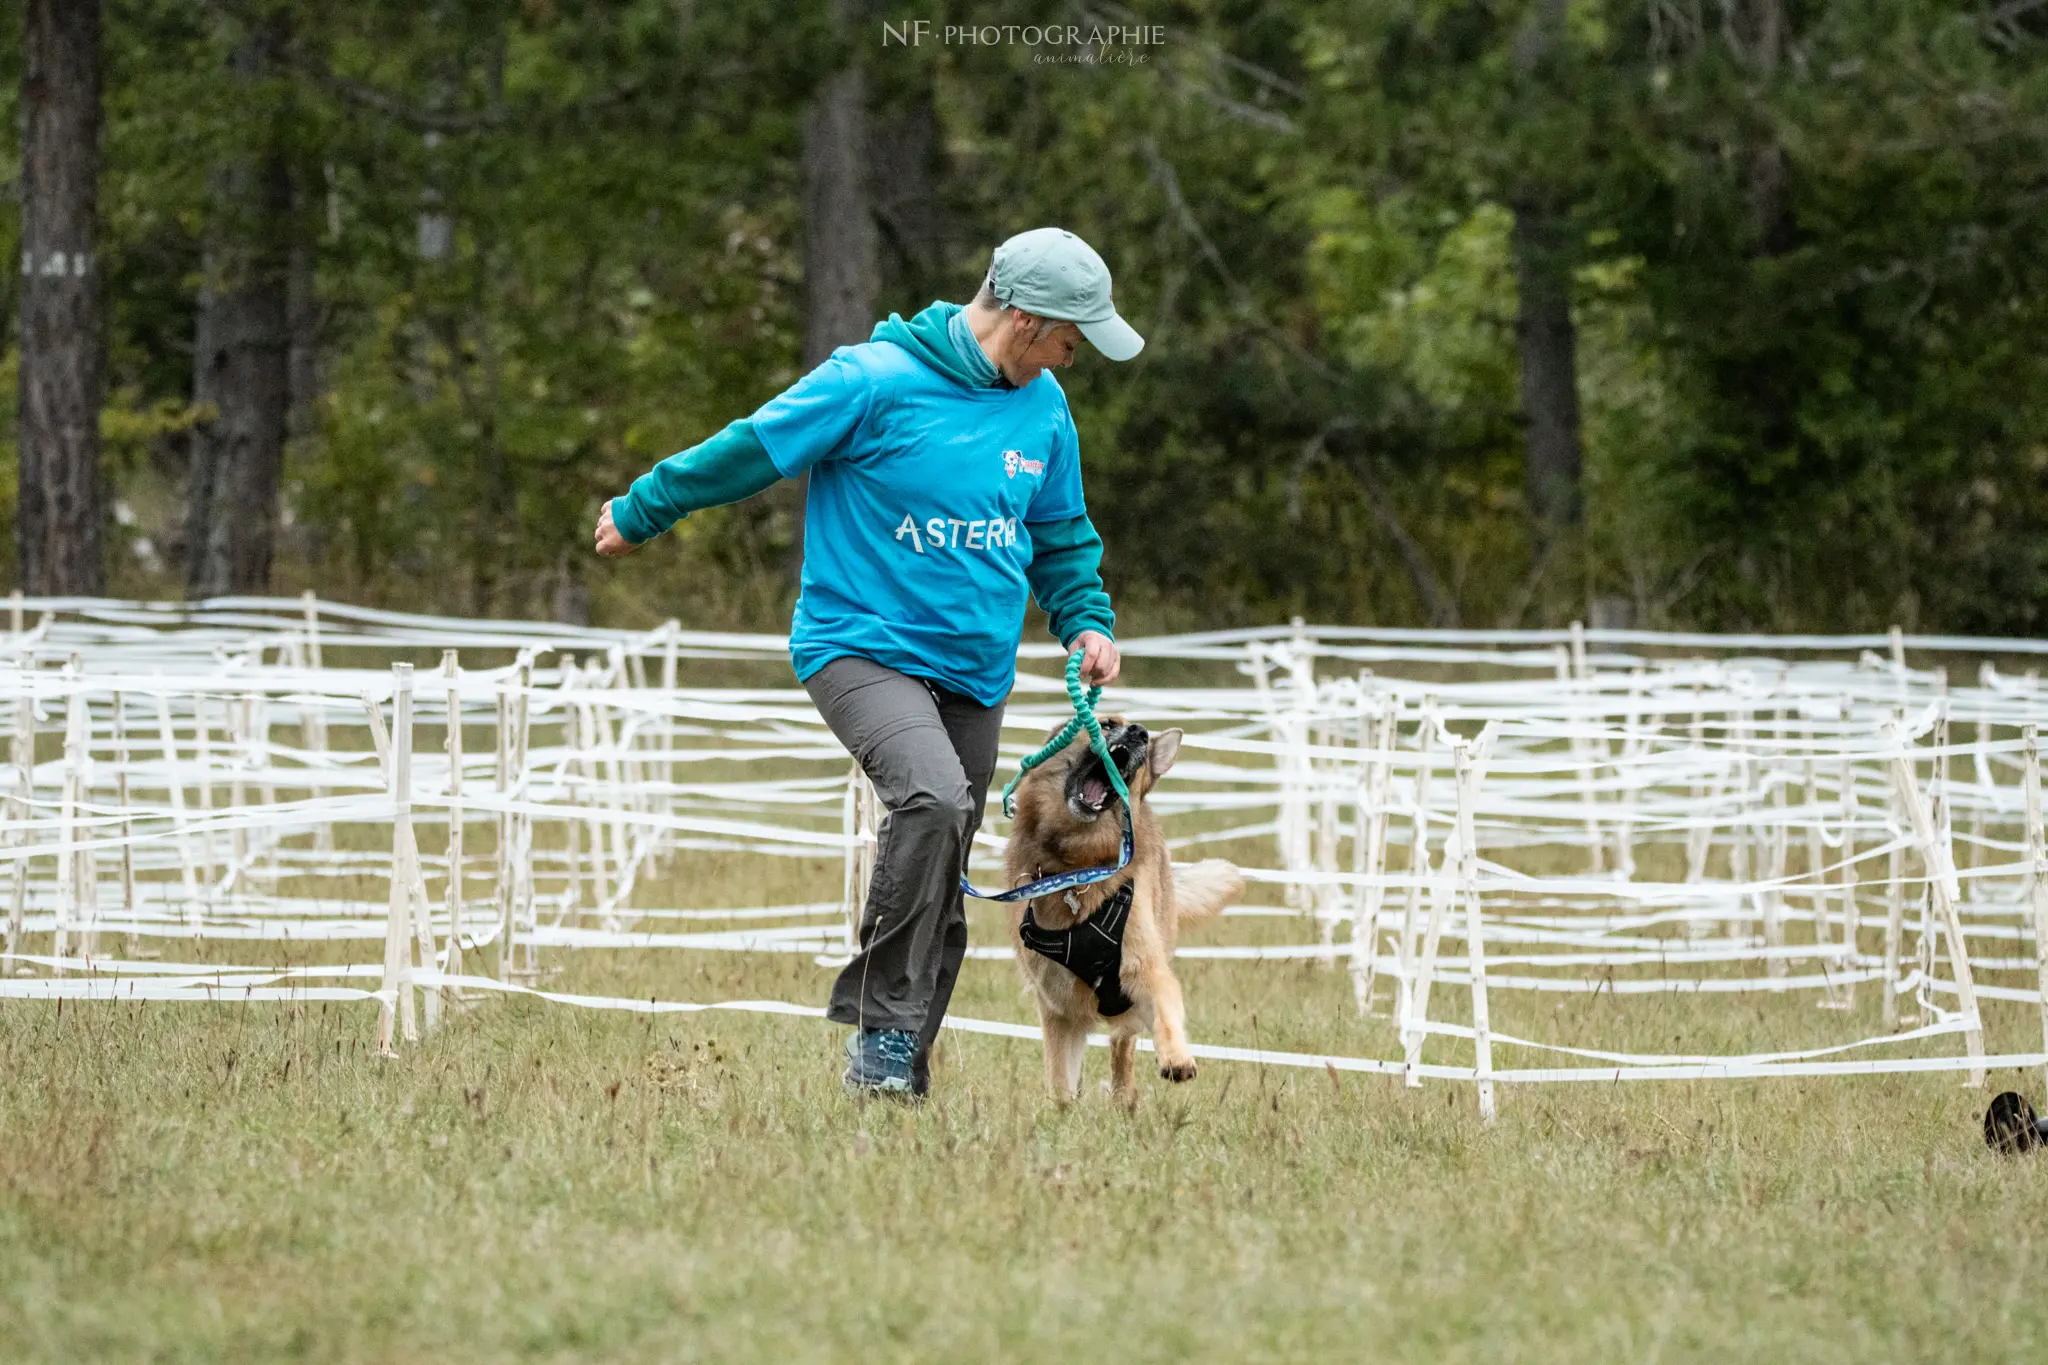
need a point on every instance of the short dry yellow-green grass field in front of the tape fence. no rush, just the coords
(536, 1182)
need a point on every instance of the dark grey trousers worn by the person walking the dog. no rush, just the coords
(929, 754)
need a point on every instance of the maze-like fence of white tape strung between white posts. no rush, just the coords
(1474, 811)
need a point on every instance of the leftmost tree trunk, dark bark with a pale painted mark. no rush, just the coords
(62, 347)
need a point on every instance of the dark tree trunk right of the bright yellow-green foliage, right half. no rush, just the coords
(1549, 369)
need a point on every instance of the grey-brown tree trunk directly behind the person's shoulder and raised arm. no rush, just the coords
(841, 247)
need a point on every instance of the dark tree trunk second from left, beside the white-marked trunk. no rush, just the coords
(243, 361)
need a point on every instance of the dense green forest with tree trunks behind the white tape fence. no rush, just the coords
(1701, 314)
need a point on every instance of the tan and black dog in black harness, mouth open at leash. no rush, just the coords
(1066, 818)
